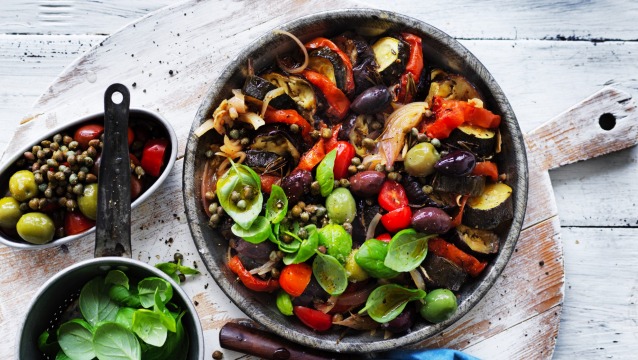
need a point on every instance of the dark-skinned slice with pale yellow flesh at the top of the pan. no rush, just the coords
(391, 54)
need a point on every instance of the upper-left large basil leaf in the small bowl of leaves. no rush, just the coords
(95, 303)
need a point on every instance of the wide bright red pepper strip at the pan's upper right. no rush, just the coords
(449, 114)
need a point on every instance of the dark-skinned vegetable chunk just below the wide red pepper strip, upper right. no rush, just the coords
(480, 141)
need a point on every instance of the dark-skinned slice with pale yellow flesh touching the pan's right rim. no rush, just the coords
(489, 209)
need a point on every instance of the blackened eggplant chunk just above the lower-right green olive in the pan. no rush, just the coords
(442, 273)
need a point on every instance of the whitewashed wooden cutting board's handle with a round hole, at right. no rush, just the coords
(605, 122)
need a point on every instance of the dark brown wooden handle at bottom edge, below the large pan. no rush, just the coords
(255, 342)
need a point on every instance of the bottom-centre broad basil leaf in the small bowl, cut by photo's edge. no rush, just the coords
(115, 342)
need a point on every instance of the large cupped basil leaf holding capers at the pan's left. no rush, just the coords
(235, 179)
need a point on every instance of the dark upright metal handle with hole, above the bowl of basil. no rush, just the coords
(113, 228)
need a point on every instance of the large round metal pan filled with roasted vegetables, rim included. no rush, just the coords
(355, 181)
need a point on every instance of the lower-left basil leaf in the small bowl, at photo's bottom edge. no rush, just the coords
(76, 339)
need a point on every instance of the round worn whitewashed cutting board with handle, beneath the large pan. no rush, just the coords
(170, 58)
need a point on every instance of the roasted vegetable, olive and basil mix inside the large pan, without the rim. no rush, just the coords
(356, 183)
